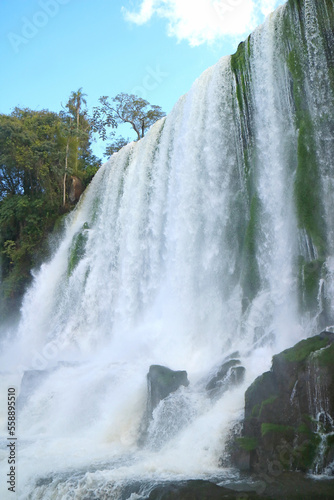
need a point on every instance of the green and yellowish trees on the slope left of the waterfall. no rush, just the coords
(46, 162)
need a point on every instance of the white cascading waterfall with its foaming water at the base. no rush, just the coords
(213, 234)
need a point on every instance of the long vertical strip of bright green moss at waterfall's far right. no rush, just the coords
(307, 186)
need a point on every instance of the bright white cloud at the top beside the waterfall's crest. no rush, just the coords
(200, 21)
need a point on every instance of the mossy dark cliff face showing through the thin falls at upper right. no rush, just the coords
(304, 81)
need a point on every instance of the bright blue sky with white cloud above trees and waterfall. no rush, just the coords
(152, 48)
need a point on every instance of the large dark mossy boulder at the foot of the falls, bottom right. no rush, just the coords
(289, 411)
